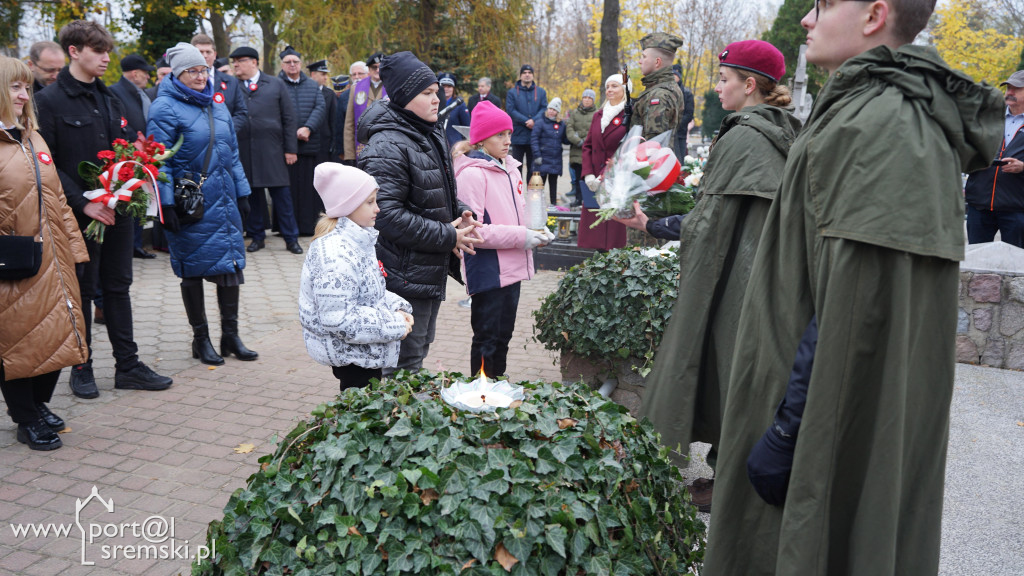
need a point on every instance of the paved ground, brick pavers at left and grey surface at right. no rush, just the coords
(172, 455)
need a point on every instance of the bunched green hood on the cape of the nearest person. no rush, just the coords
(961, 107)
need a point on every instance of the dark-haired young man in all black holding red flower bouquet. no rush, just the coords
(79, 117)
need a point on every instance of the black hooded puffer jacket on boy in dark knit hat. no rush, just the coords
(417, 200)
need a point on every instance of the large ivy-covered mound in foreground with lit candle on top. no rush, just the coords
(391, 480)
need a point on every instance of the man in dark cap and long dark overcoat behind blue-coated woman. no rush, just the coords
(267, 146)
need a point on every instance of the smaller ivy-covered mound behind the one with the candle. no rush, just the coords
(612, 307)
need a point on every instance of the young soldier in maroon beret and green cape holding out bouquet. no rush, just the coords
(687, 388)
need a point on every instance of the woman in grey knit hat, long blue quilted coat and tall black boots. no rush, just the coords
(211, 250)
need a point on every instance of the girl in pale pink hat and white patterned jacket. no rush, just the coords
(350, 321)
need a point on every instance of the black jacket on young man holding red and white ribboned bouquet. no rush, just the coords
(71, 122)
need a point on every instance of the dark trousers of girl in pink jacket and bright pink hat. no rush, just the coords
(493, 319)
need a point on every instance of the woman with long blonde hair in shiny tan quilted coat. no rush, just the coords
(41, 323)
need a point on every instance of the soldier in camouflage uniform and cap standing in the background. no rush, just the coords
(660, 107)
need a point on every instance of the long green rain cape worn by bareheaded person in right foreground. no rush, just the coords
(866, 233)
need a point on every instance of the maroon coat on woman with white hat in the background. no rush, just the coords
(599, 148)
